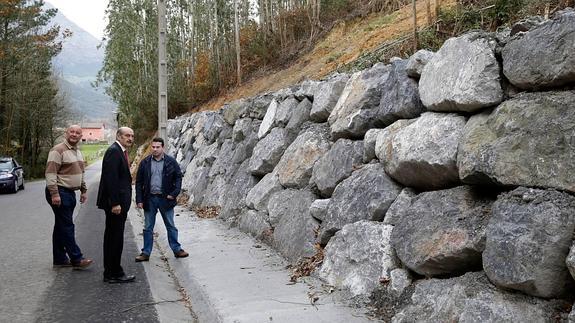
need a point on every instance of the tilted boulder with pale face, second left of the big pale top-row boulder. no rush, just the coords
(357, 108)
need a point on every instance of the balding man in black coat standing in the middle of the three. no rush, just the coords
(115, 197)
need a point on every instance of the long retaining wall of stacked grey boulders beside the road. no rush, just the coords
(452, 171)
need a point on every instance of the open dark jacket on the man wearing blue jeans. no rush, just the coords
(171, 180)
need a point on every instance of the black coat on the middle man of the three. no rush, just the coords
(116, 180)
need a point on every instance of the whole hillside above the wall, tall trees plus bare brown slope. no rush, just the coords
(227, 49)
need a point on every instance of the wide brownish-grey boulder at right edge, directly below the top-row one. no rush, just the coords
(526, 141)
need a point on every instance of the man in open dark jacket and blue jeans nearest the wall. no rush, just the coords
(158, 183)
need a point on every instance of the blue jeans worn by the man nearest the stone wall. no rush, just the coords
(154, 204)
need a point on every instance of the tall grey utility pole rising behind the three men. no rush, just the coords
(162, 71)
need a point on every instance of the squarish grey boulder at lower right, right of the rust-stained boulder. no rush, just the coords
(528, 239)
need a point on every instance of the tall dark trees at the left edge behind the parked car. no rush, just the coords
(29, 106)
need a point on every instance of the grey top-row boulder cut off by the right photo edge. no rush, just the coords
(549, 60)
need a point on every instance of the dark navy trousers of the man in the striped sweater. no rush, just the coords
(64, 247)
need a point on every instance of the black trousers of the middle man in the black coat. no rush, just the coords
(114, 243)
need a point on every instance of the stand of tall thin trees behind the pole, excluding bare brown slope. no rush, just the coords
(206, 40)
